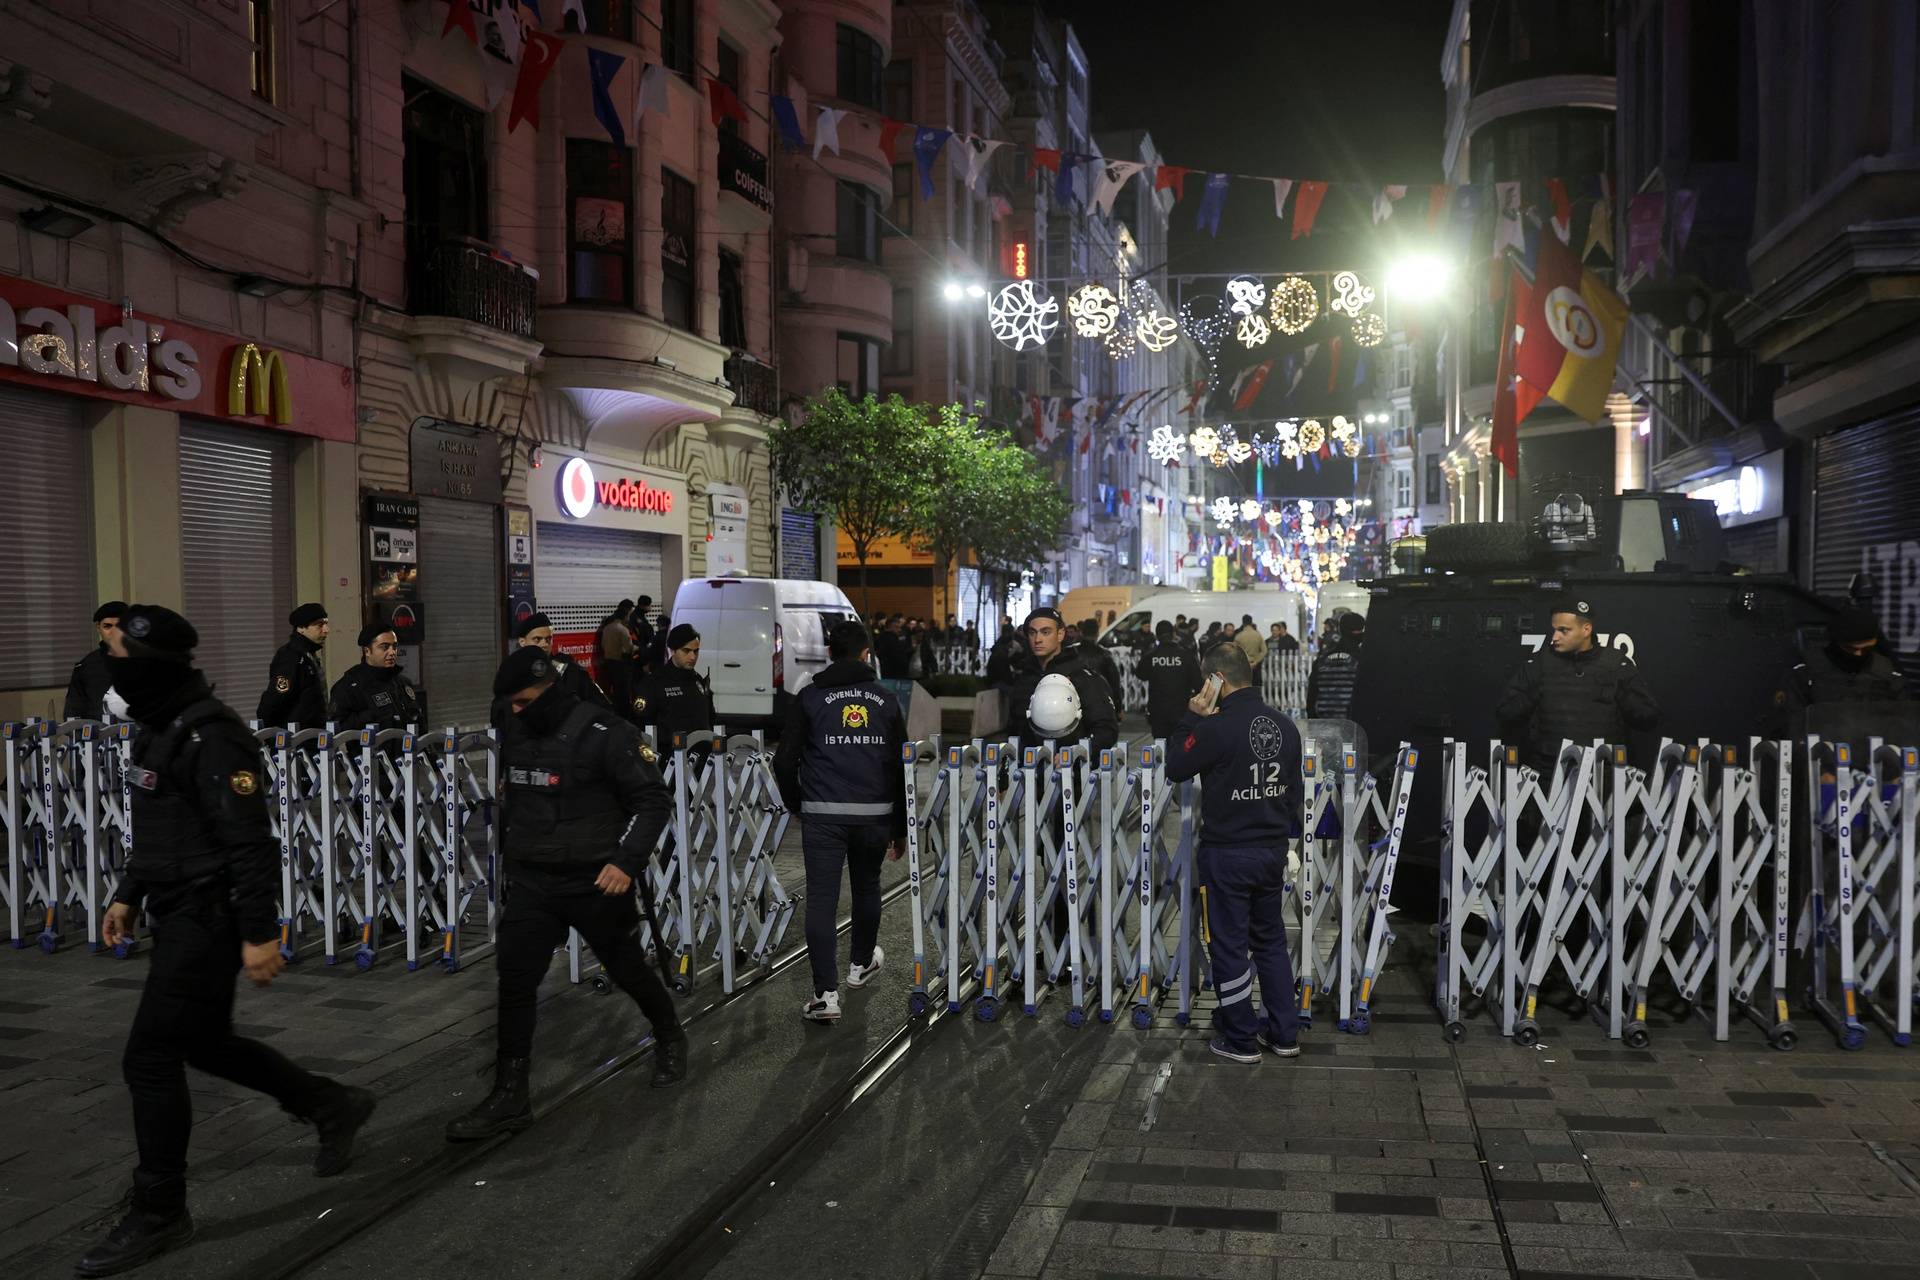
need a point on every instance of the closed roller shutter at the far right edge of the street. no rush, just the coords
(1867, 519)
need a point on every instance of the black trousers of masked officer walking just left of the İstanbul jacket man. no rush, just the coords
(544, 901)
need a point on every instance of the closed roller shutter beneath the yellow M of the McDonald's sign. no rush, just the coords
(237, 554)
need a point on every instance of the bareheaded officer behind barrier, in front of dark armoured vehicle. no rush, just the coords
(1575, 692)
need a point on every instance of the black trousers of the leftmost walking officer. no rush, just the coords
(187, 1020)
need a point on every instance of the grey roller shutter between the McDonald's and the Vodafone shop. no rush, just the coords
(460, 575)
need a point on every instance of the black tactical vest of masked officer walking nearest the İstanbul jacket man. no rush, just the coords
(558, 807)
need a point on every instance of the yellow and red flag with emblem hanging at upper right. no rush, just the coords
(1572, 329)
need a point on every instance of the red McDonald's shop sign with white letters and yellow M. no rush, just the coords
(68, 343)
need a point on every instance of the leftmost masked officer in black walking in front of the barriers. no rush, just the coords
(206, 868)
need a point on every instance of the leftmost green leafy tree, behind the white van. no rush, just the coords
(865, 463)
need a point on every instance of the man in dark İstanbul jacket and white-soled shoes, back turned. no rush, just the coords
(840, 770)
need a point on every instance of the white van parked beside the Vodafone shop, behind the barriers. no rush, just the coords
(759, 638)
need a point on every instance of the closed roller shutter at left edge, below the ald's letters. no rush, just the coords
(47, 527)
